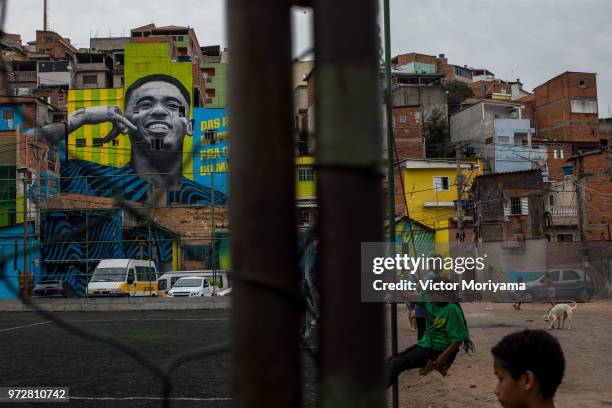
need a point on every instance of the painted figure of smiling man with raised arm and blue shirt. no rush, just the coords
(156, 119)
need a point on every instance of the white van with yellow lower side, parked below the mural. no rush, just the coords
(123, 277)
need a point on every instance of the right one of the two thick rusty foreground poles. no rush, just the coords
(349, 191)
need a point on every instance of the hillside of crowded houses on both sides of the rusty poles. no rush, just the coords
(482, 163)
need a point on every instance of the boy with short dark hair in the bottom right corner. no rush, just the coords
(529, 366)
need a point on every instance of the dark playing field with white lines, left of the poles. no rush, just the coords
(37, 353)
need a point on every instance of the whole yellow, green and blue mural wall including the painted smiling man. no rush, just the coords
(147, 135)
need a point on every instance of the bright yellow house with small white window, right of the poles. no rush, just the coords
(430, 187)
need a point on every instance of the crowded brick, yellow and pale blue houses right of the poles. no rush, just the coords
(538, 195)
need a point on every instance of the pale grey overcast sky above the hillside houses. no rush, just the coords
(531, 40)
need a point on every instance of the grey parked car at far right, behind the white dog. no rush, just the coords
(569, 284)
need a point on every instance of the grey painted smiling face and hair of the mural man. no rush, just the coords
(160, 112)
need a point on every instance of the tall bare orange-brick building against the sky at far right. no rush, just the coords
(566, 117)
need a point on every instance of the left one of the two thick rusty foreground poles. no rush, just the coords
(266, 360)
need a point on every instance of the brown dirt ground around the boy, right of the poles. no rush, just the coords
(471, 382)
